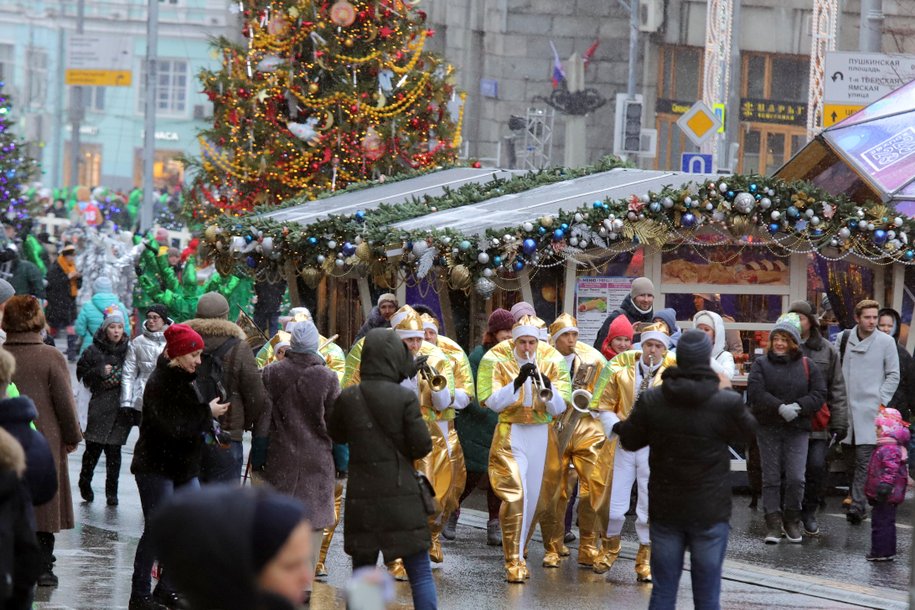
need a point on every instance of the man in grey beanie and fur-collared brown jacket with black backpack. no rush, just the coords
(228, 368)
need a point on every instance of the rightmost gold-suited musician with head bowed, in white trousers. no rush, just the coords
(617, 388)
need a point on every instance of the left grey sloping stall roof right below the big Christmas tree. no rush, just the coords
(401, 191)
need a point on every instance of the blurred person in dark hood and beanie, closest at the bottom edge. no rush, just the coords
(254, 556)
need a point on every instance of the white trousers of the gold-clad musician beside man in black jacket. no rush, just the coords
(629, 467)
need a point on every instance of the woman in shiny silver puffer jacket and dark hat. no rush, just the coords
(142, 355)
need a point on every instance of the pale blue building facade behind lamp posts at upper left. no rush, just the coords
(33, 56)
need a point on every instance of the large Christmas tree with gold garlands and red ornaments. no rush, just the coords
(322, 95)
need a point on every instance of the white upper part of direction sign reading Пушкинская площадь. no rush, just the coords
(861, 78)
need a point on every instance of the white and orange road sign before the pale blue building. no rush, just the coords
(99, 61)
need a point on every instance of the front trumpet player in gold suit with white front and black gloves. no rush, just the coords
(526, 382)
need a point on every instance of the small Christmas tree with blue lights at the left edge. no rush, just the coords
(17, 168)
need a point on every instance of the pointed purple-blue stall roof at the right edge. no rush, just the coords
(869, 155)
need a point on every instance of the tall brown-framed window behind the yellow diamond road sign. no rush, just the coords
(680, 75)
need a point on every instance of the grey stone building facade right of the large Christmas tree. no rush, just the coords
(502, 49)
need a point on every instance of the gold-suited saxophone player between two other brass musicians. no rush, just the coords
(581, 438)
